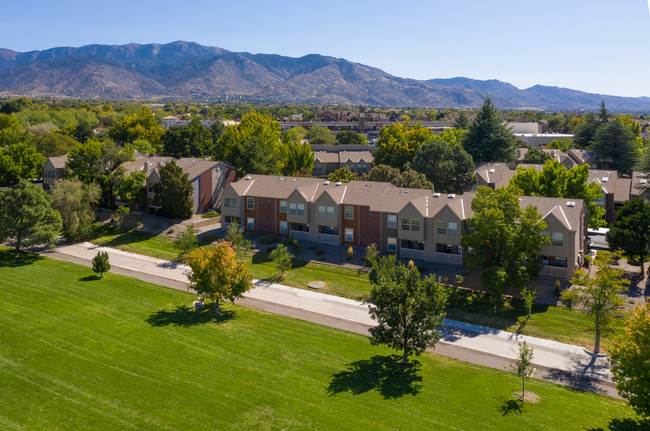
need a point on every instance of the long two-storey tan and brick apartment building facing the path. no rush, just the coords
(412, 223)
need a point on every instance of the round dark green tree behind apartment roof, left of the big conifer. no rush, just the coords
(449, 168)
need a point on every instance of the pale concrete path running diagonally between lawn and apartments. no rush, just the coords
(561, 363)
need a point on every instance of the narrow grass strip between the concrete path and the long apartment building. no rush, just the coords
(555, 323)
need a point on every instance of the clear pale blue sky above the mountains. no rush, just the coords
(590, 45)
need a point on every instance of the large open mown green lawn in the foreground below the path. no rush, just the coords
(81, 353)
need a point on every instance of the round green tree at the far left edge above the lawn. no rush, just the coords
(27, 217)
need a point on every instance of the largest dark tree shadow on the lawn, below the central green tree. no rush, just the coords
(386, 374)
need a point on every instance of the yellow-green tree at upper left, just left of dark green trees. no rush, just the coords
(141, 125)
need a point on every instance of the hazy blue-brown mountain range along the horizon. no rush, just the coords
(189, 71)
